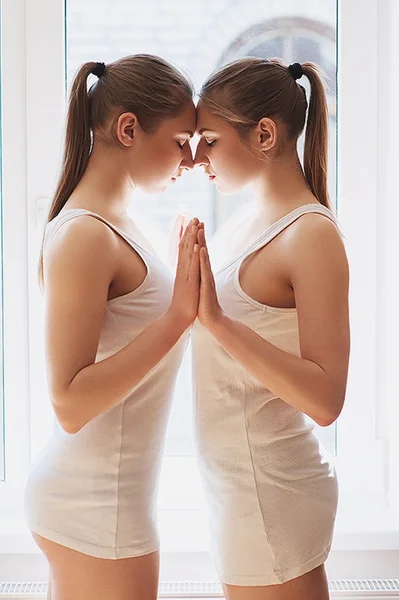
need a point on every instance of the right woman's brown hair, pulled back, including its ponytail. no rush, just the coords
(248, 89)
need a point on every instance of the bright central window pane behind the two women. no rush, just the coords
(116, 29)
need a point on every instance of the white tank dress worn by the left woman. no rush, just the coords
(95, 491)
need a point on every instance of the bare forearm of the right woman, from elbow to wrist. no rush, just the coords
(301, 383)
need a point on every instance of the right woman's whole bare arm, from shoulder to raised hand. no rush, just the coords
(314, 383)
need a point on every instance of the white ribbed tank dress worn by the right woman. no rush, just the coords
(271, 489)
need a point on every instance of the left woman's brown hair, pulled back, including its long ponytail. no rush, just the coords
(145, 85)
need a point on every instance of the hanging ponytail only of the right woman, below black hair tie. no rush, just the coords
(316, 137)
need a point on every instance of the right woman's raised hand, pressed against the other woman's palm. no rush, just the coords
(209, 309)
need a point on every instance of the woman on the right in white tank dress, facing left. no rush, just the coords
(272, 342)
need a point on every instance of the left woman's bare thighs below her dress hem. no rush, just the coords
(77, 576)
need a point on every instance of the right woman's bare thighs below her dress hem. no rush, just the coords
(311, 586)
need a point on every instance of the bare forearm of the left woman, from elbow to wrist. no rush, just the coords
(101, 385)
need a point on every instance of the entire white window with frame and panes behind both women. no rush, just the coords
(198, 36)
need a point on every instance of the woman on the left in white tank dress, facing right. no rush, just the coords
(115, 329)
